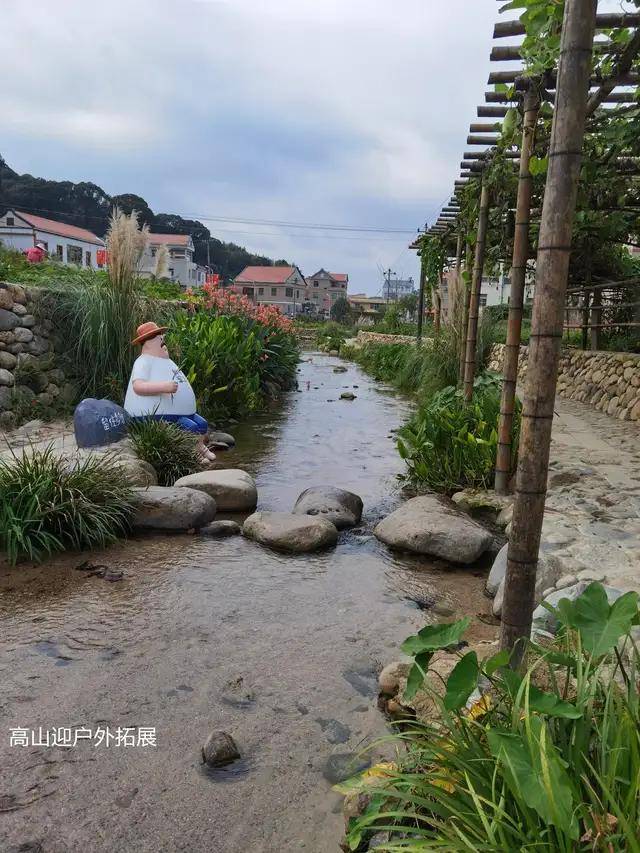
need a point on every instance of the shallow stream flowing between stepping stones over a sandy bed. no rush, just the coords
(280, 651)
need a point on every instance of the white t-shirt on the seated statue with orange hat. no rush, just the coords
(155, 369)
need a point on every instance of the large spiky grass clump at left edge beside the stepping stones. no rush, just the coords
(48, 504)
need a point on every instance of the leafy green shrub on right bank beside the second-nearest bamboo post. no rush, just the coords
(450, 445)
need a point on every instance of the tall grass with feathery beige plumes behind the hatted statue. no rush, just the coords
(99, 316)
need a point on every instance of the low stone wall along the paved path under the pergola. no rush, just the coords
(608, 381)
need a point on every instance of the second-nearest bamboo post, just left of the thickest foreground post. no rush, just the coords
(516, 296)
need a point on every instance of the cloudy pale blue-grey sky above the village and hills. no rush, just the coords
(342, 112)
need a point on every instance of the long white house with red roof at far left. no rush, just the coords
(65, 243)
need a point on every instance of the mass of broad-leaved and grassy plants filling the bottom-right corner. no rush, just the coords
(545, 761)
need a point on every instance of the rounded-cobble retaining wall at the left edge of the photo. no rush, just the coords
(30, 375)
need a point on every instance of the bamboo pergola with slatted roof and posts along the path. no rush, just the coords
(578, 96)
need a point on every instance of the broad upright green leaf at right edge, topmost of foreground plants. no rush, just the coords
(599, 624)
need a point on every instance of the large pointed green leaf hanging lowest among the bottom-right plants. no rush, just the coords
(535, 773)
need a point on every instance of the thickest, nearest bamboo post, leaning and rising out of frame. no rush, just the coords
(554, 247)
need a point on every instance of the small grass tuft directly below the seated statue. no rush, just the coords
(170, 450)
